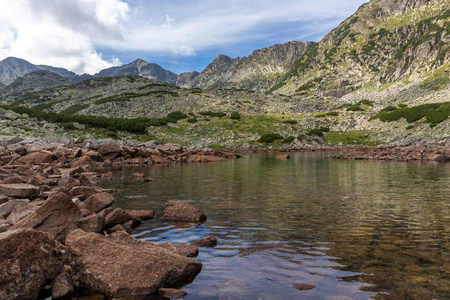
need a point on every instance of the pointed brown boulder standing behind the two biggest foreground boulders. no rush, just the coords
(58, 217)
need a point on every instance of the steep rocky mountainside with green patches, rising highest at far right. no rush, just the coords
(383, 43)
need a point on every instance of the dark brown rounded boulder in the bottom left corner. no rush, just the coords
(28, 260)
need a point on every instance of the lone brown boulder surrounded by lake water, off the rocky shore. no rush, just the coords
(179, 211)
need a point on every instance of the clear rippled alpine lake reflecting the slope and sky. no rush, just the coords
(354, 229)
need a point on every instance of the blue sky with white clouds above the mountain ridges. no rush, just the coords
(86, 36)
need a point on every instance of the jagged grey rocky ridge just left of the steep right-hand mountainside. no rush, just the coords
(259, 71)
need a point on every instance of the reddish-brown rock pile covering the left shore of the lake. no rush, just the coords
(56, 227)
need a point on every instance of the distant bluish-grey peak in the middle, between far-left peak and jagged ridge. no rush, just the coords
(141, 68)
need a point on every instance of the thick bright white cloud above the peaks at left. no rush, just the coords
(60, 33)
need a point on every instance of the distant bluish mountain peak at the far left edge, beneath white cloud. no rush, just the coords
(34, 81)
